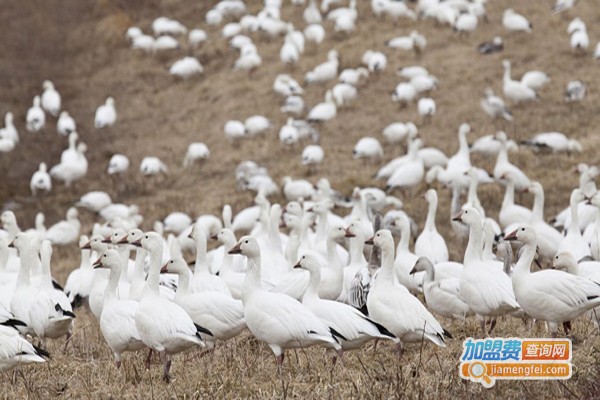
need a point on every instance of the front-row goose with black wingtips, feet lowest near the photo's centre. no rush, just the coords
(277, 319)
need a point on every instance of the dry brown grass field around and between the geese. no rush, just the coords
(81, 46)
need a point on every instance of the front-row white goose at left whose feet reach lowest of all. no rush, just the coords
(163, 325)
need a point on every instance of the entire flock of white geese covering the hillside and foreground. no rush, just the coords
(309, 262)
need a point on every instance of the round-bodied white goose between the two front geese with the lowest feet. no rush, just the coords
(222, 315)
